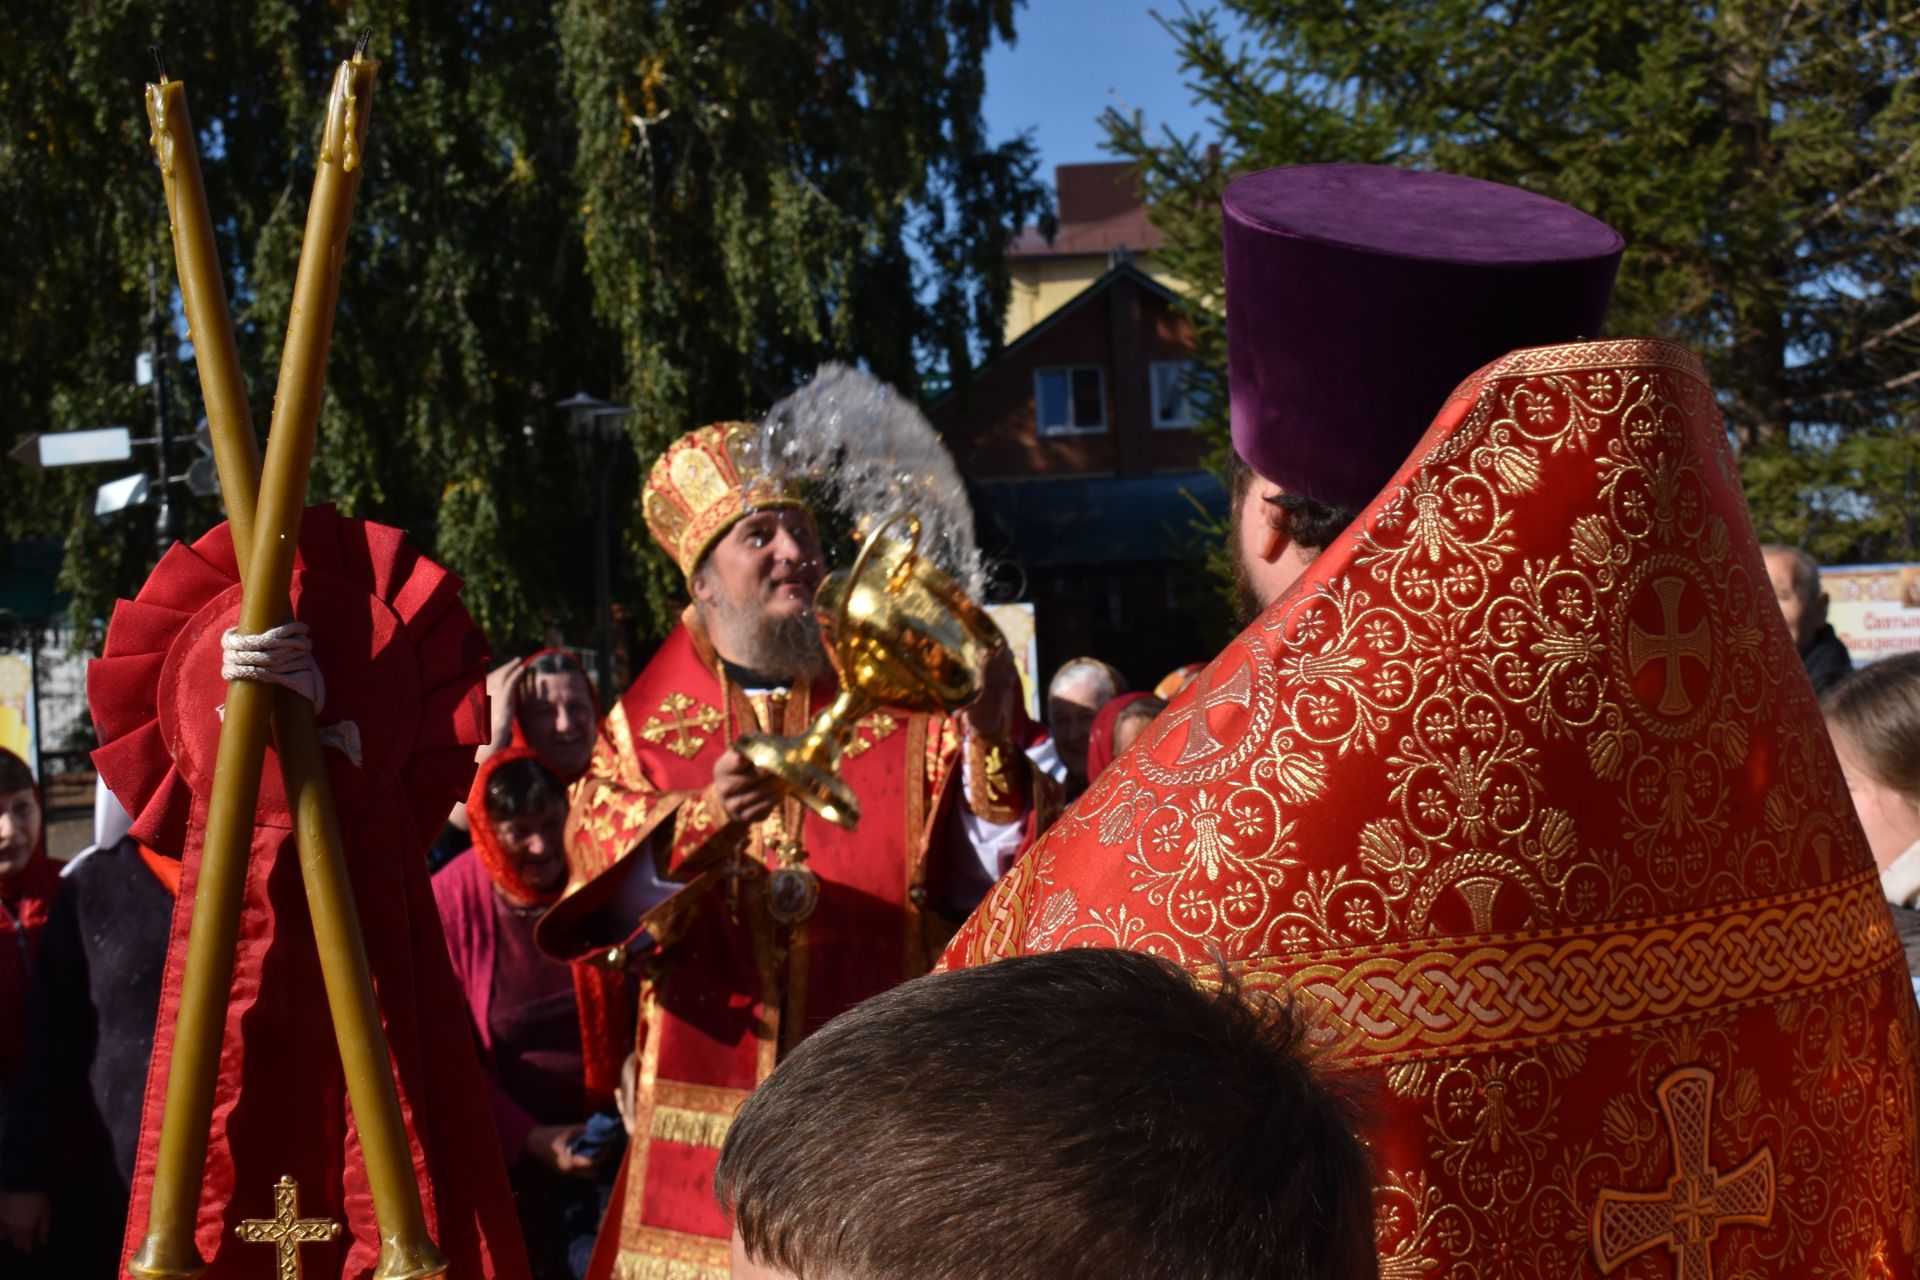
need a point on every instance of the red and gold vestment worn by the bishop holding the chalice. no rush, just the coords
(729, 989)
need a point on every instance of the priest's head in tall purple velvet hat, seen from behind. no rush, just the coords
(1358, 296)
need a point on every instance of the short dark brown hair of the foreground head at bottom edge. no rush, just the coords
(1082, 1114)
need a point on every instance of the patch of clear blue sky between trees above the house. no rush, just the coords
(1076, 59)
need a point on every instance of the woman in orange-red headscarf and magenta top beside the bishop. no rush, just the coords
(552, 1035)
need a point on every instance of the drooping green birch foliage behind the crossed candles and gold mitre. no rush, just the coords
(681, 204)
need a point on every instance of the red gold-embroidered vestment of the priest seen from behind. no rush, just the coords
(1524, 790)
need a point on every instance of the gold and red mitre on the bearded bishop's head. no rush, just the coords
(704, 485)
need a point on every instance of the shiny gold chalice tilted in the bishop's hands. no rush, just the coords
(901, 634)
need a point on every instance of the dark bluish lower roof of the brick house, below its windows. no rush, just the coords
(1103, 519)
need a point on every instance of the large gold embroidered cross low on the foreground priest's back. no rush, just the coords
(1698, 1202)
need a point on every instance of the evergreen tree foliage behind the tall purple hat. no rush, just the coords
(1760, 158)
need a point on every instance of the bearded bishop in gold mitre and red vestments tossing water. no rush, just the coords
(752, 918)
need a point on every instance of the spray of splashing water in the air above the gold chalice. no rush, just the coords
(873, 456)
